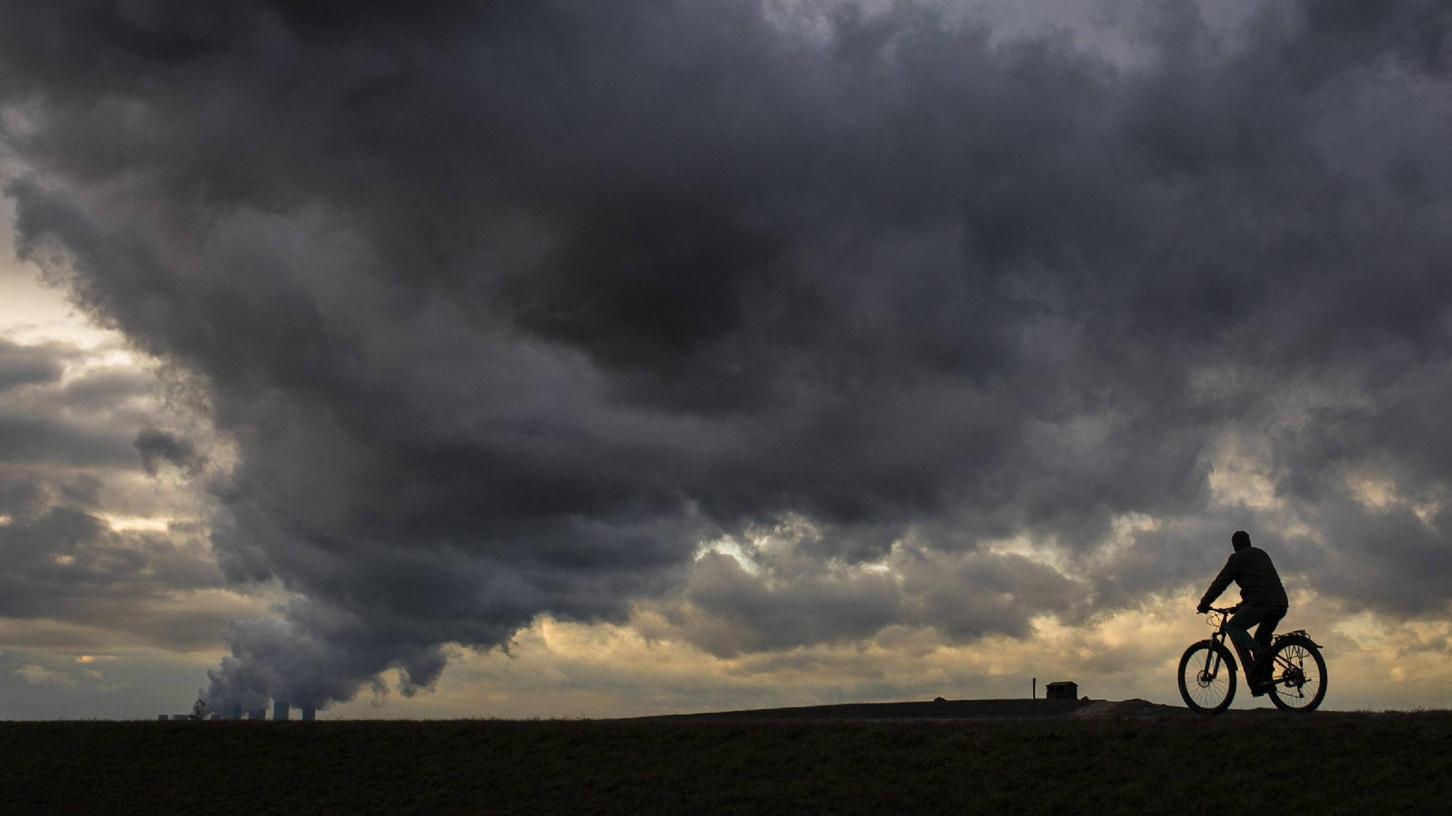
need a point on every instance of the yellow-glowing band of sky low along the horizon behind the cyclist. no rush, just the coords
(608, 670)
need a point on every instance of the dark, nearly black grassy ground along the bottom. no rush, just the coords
(1270, 763)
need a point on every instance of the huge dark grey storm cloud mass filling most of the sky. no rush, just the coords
(509, 306)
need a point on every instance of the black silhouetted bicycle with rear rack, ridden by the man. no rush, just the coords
(1207, 672)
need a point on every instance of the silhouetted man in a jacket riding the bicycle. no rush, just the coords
(1263, 600)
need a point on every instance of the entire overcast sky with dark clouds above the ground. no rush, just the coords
(555, 358)
